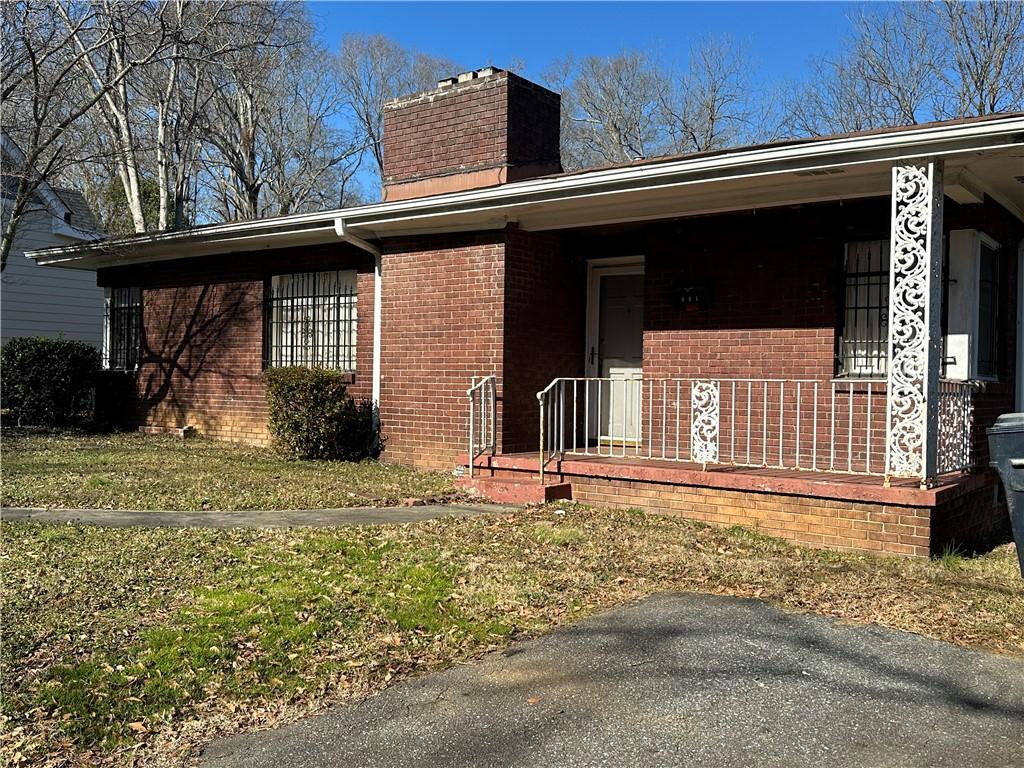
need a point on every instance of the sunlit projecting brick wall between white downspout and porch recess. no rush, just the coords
(443, 324)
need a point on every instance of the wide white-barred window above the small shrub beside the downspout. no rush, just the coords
(311, 320)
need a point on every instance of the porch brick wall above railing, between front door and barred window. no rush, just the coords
(774, 307)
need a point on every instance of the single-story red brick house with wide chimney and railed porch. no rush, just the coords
(808, 337)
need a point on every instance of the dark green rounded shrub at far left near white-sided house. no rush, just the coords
(49, 382)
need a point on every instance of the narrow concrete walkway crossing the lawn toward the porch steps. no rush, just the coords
(250, 520)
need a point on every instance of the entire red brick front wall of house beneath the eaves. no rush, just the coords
(513, 304)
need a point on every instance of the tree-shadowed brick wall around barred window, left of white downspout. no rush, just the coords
(203, 336)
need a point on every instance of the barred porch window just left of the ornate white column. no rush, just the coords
(864, 343)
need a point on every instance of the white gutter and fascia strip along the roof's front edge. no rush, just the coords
(814, 155)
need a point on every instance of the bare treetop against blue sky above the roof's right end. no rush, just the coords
(917, 62)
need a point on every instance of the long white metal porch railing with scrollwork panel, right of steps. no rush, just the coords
(810, 424)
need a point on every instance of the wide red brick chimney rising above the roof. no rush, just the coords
(480, 130)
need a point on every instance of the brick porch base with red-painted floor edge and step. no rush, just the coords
(841, 513)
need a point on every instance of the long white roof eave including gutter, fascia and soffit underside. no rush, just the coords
(984, 156)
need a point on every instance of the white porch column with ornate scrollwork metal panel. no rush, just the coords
(915, 321)
